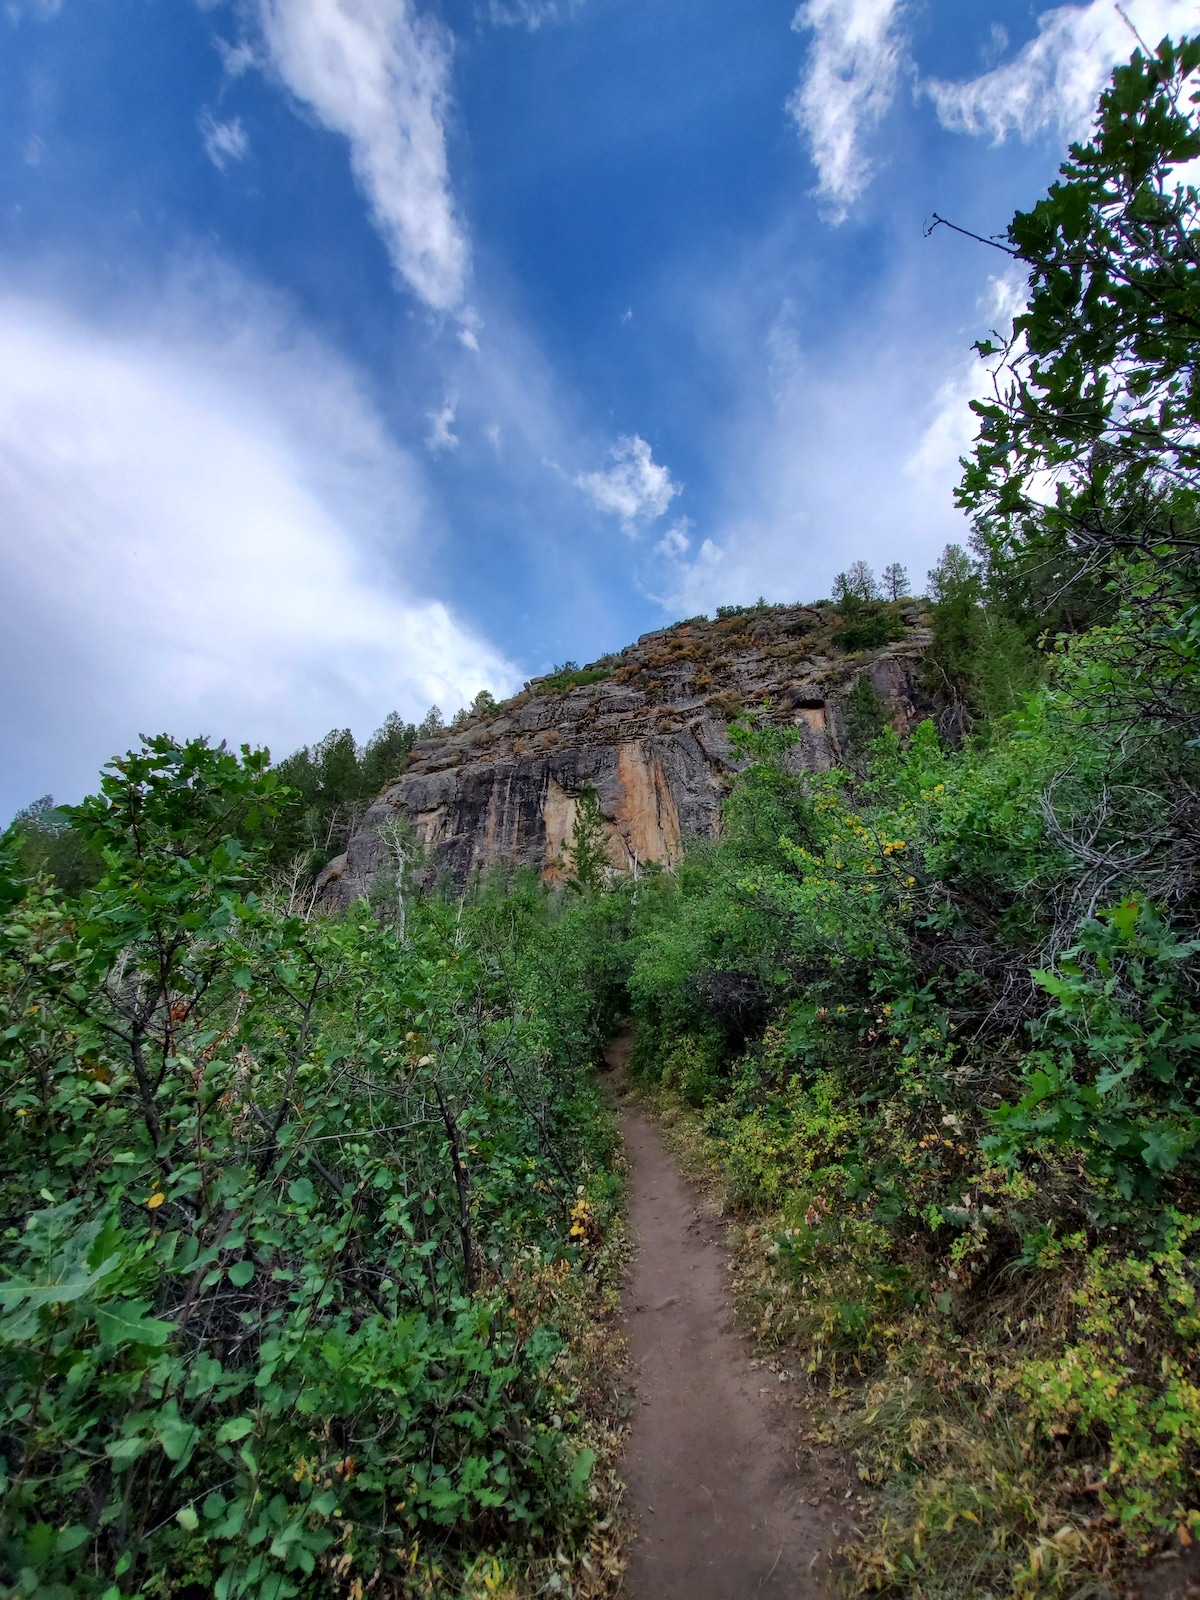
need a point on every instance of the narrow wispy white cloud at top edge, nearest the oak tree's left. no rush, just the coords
(849, 86)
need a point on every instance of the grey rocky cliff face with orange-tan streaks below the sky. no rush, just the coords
(647, 730)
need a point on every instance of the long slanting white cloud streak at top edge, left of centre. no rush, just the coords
(378, 73)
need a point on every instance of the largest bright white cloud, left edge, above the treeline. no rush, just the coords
(202, 522)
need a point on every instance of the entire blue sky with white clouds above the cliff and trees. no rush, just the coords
(359, 354)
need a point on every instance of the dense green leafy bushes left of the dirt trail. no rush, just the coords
(273, 1190)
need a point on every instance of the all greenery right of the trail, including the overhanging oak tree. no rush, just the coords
(938, 1018)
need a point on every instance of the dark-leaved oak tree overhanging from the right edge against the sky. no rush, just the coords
(1089, 452)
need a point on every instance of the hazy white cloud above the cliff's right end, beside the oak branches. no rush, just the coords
(849, 450)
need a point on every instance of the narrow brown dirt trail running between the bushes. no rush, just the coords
(722, 1511)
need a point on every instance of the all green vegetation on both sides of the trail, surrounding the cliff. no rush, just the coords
(313, 1225)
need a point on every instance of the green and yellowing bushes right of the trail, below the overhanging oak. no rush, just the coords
(966, 1142)
